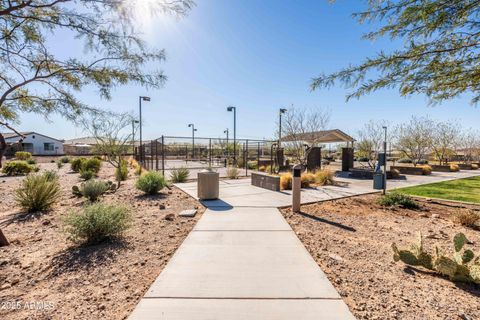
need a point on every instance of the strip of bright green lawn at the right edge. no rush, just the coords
(461, 190)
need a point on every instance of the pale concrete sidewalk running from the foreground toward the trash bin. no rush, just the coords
(242, 263)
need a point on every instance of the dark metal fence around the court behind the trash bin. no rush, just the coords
(167, 153)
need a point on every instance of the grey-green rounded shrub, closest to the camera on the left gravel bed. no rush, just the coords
(97, 222)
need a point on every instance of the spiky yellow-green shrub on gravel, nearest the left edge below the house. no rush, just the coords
(38, 192)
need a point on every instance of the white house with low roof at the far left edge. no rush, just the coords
(33, 142)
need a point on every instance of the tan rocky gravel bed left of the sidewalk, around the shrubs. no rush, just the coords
(43, 275)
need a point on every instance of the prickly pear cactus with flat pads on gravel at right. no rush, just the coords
(462, 267)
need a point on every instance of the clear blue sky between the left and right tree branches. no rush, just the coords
(258, 56)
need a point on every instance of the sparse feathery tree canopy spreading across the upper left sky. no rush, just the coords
(36, 78)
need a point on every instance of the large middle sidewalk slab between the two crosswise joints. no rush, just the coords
(242, 264)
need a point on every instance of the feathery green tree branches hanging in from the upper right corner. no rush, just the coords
(439, 56)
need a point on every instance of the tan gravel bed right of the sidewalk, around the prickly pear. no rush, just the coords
(351, 241)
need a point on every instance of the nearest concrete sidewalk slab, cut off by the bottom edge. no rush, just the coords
(241, 309)
